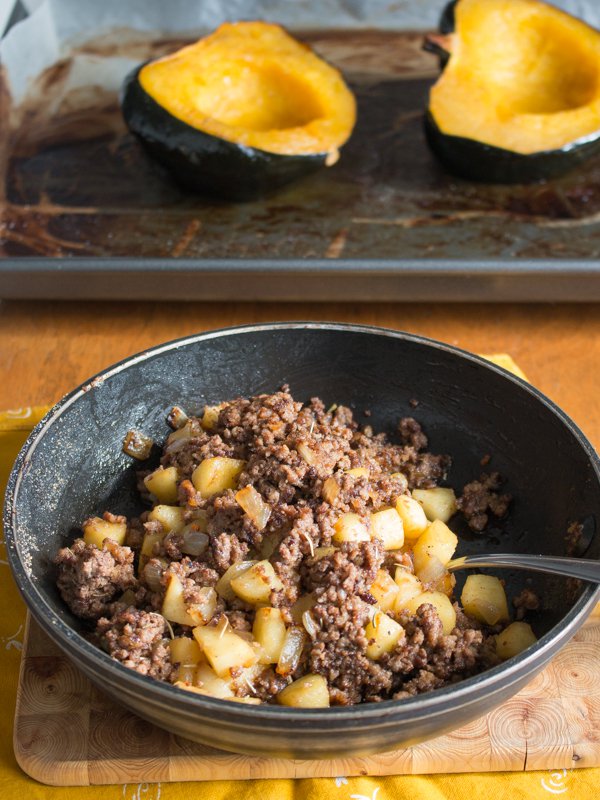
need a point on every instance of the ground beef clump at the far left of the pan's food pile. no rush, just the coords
(89, 578)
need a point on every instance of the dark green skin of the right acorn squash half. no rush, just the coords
(478, 161)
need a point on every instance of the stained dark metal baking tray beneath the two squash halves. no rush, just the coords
(85, 214)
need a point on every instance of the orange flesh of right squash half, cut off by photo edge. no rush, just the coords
(522, 76)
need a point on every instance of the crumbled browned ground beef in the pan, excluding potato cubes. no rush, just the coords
(290, 451)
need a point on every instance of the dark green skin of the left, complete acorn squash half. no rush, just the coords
(206, 163)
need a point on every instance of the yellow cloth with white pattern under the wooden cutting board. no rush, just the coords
(579, 784)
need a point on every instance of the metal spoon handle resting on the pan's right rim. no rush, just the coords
(586, 569)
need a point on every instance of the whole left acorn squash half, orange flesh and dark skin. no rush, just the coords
(240, 112)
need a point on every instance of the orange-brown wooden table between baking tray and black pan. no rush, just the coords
(47, 349)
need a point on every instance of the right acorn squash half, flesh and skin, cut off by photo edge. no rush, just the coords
(519, 96)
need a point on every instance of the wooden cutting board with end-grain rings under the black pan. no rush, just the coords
(68, 734)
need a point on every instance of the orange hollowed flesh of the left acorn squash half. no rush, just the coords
(253, 84)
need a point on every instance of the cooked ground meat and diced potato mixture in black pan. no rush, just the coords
(291, 557)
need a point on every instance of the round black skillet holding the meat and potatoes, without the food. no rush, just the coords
(72, 466)
